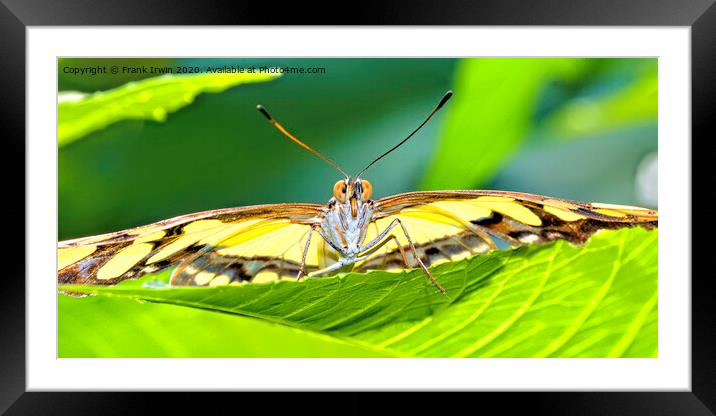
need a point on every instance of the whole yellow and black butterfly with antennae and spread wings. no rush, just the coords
(264, 243)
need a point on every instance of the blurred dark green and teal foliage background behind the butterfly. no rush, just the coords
(570, 128)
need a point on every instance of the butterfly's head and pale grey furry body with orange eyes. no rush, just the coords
(349, 213)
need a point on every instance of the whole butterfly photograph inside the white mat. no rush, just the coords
(276, 207)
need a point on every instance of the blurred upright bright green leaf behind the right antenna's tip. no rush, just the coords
(489, 117)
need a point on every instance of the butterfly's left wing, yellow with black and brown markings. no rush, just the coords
(256, 243)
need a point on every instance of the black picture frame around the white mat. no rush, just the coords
(16, 15)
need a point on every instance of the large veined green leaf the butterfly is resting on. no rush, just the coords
(557, 300)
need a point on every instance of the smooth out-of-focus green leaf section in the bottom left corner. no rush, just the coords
(113, 326)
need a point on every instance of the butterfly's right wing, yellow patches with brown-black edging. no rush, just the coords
(448, 225)
